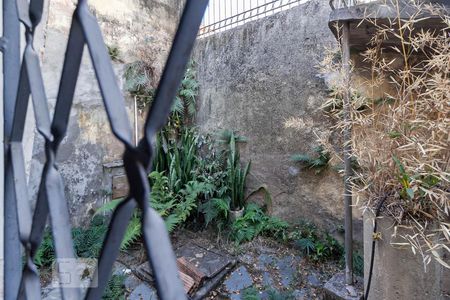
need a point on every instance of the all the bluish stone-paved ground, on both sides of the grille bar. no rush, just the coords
(271, 270)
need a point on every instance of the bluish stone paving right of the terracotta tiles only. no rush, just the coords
(271, 269)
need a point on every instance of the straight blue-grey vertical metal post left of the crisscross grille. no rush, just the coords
(11, 68)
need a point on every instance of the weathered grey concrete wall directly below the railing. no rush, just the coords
(255, 77)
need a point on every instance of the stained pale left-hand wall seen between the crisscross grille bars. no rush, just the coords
(130, 25)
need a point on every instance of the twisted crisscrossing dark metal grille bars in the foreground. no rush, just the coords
(51, 199)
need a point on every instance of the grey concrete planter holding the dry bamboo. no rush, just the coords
(398, 273)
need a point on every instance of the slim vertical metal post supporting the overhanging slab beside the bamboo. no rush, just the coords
(347, 156)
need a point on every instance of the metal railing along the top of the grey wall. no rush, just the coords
(222, 15)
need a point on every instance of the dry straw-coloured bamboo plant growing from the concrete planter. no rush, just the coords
(401, 140)
